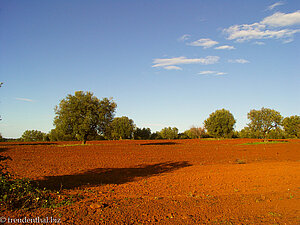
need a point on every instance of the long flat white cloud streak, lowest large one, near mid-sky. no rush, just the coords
(171, 62)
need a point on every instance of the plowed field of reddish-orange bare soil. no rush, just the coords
(165, 182)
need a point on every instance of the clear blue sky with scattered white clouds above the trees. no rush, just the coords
(165, 63)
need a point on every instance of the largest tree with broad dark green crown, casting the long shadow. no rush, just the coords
(83, 114)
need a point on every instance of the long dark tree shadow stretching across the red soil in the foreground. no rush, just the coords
(102, 176)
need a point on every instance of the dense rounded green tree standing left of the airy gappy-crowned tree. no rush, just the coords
(220, 124)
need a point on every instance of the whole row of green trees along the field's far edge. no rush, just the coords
(83, 116)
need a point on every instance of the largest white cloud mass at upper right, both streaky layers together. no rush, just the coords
(266, 28)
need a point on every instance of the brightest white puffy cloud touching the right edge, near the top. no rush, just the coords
(281, 19)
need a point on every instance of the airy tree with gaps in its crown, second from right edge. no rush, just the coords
(263, 121)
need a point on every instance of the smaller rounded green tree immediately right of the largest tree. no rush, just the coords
(121, 128)
